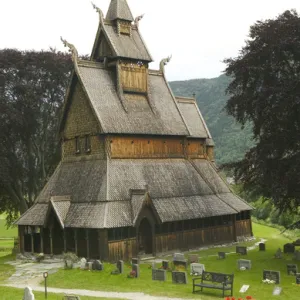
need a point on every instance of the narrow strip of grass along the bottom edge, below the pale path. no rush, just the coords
(8, 293)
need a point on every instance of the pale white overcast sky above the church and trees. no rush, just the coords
(198, 34)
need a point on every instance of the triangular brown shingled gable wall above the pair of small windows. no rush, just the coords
(80, 119)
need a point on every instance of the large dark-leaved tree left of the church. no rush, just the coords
(32, 89)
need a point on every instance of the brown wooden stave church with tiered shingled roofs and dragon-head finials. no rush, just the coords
(137, 174)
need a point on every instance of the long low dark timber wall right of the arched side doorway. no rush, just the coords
(193, 238)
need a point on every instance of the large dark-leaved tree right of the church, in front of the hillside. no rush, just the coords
(265, 91)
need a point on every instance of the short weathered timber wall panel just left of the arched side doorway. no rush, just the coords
(125, 249)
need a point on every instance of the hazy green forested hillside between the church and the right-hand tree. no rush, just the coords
(230, 140)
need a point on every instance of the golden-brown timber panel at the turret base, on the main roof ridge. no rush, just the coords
(133, 77)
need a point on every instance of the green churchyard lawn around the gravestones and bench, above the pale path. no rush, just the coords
(260, 260)
